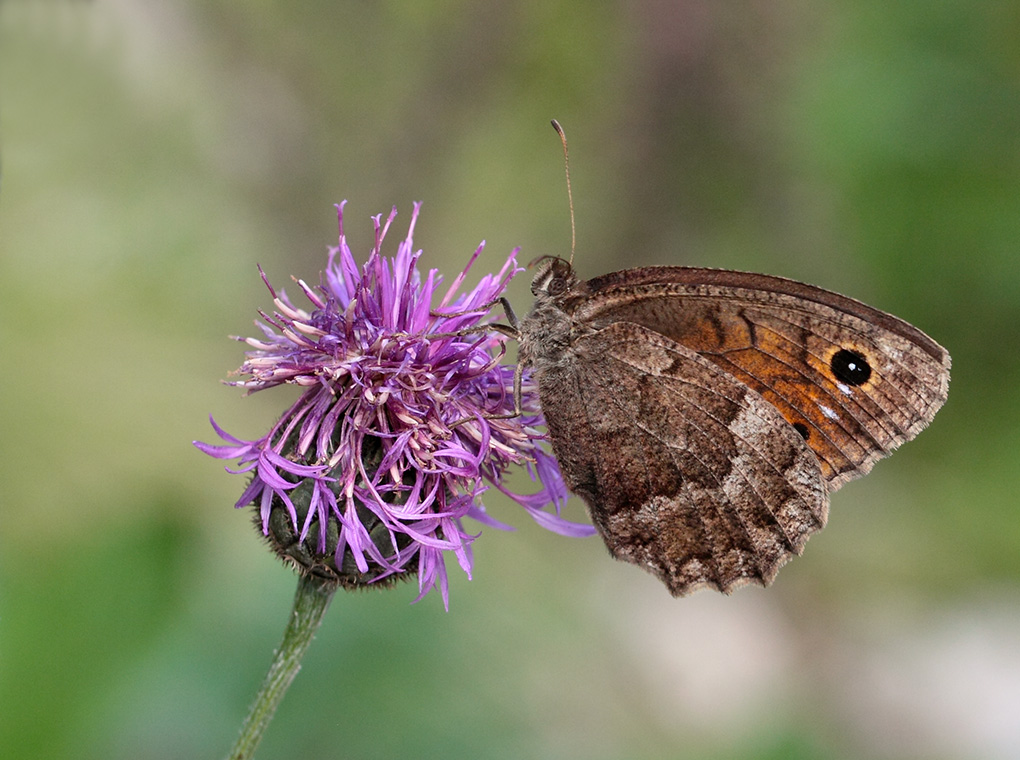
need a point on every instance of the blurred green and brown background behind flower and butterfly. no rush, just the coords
(154, 154)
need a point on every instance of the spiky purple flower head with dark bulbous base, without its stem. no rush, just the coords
(369, 476)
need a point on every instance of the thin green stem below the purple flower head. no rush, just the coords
(311, 603)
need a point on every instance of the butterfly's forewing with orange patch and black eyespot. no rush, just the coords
(855, 382)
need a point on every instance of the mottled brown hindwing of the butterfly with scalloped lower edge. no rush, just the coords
(686, 471)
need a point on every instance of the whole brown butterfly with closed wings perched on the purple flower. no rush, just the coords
(705, 416)
